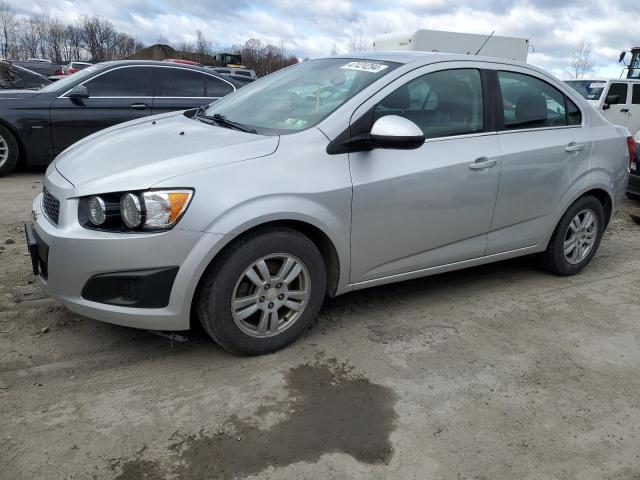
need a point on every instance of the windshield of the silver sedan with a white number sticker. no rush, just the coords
(301, 96)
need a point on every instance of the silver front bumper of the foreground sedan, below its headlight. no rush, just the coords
(74, 255)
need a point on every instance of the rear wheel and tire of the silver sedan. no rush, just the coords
(576, 237)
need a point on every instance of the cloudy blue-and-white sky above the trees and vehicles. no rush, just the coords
(310, 28)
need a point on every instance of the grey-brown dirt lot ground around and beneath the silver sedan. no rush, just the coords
(498, 372)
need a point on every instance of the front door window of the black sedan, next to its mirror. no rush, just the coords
(122, 82)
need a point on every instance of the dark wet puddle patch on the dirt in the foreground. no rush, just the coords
(331, 410)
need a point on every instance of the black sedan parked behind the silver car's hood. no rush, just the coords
(41, 124)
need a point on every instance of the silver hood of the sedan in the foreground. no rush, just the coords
(138, 154)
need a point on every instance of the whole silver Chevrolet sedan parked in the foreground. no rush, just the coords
(333, 175)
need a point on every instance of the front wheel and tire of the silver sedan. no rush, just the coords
(263, 291)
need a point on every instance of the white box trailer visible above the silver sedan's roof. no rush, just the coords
(511, 48)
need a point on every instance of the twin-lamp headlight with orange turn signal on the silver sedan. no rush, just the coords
(134, 211)
